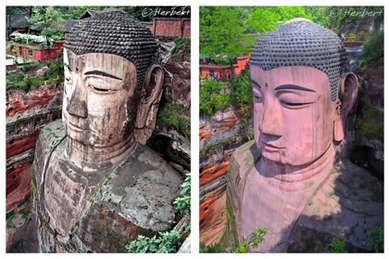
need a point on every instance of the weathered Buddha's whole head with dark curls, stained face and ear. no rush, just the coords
(111, 84)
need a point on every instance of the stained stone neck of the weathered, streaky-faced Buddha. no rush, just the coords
(90, 158)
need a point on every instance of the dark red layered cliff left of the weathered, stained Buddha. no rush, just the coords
(26, 114)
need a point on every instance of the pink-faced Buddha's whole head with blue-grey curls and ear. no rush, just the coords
(301, 93)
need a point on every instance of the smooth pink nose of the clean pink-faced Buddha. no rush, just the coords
(272, 123)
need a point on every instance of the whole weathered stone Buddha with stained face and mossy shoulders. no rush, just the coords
(97, 185)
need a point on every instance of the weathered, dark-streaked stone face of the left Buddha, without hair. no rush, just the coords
(100, 101)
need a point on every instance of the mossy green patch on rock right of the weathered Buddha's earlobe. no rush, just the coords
(175, 115)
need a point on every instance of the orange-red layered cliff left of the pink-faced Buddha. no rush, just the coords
(219, 137)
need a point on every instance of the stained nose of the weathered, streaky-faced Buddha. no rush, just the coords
(77, 104)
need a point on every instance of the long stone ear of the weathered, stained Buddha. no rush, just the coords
(149, 101)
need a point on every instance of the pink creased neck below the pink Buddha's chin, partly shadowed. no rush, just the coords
(294, 178)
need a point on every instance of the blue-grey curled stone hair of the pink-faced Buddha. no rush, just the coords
(302, 43)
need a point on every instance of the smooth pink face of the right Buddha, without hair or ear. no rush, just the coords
(293, 113)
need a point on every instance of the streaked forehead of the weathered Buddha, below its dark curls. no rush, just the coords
(99, 61)
